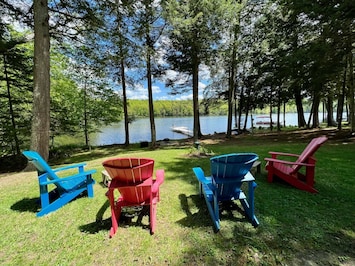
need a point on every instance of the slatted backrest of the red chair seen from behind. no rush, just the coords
(129, 170)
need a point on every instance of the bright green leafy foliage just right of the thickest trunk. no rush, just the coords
(80, 104)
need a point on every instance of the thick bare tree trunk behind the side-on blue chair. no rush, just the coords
(41, 80)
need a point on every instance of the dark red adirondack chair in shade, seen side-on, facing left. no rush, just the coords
(290, 171)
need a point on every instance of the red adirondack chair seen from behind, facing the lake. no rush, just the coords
(133, 178)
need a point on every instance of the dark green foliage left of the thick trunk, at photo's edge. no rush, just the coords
(15, 91)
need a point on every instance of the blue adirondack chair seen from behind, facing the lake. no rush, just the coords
(228, 173)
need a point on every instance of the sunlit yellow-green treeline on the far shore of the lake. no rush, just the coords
(139, 108)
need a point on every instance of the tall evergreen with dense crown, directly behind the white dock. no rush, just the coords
(194, 35)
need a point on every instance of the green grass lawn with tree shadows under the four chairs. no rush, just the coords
(296, 227)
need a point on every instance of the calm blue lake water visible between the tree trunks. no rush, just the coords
(139, 130)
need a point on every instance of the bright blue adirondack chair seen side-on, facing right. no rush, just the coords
(67, 188)
